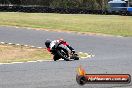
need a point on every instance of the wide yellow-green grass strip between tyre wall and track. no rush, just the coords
(104, 24)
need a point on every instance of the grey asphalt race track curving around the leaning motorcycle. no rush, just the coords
(112, 55)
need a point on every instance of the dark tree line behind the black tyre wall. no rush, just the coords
(86, 4)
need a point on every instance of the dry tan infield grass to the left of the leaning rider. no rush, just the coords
(10, 53)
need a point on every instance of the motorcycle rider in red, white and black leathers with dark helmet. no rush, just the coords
(50, 45)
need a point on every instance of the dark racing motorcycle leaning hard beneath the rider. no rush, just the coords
(62, 51)
